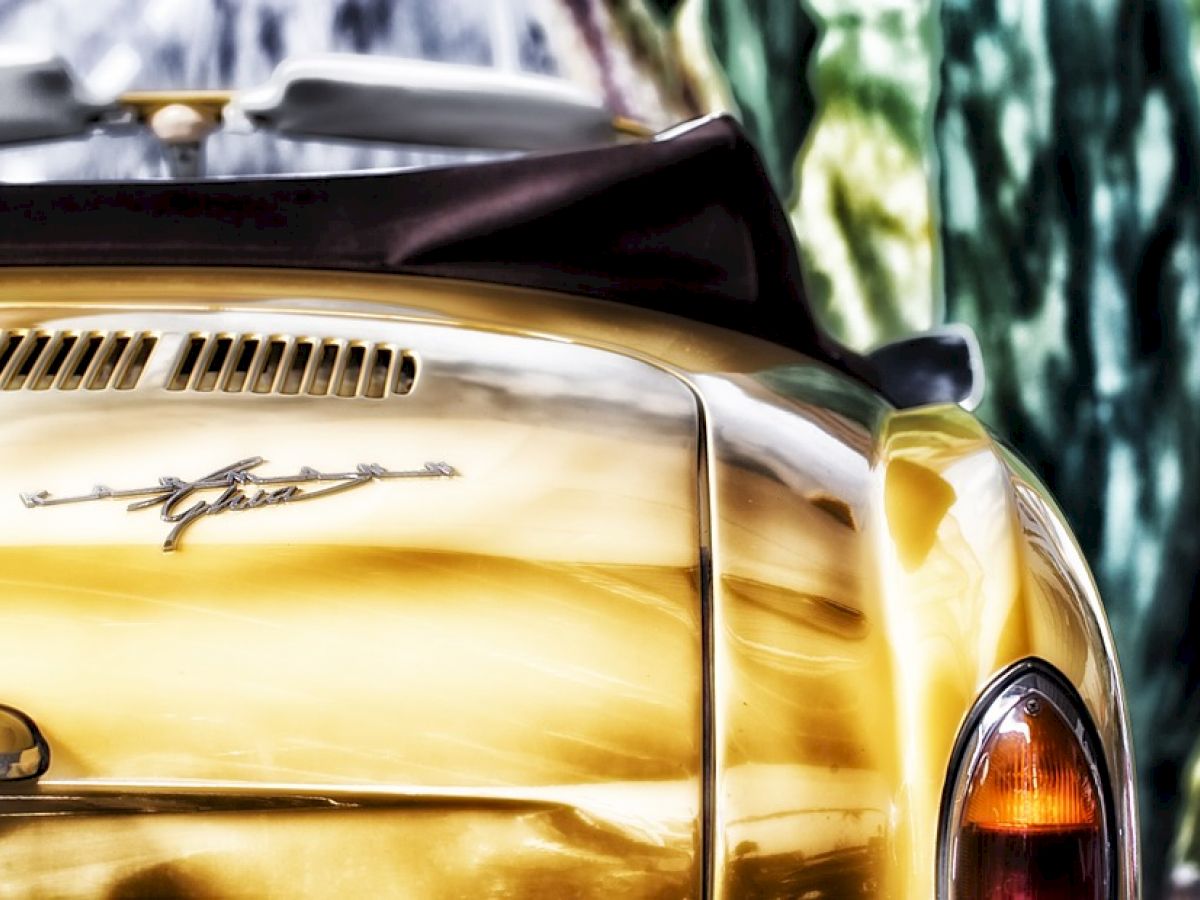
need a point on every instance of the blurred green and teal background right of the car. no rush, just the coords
(1030, 169)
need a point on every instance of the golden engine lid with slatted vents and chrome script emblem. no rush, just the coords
(466, 575)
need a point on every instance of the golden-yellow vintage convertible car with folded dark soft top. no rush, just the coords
(513, 531)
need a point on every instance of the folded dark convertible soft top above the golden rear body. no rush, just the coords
(686, 224)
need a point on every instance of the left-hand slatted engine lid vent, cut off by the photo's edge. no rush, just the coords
(33, 359)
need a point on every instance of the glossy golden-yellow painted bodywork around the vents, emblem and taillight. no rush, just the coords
(700, 619)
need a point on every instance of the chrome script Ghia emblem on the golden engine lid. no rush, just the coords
(241, 490)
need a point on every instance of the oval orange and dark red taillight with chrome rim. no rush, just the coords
(1027, 809)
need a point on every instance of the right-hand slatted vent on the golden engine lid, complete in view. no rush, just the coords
(292, 367)
